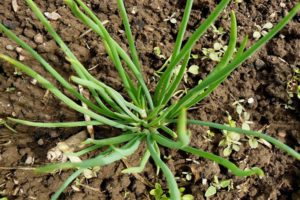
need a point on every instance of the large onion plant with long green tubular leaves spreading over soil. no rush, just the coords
(142, 116)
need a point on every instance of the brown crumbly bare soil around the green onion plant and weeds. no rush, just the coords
(263, 77)
